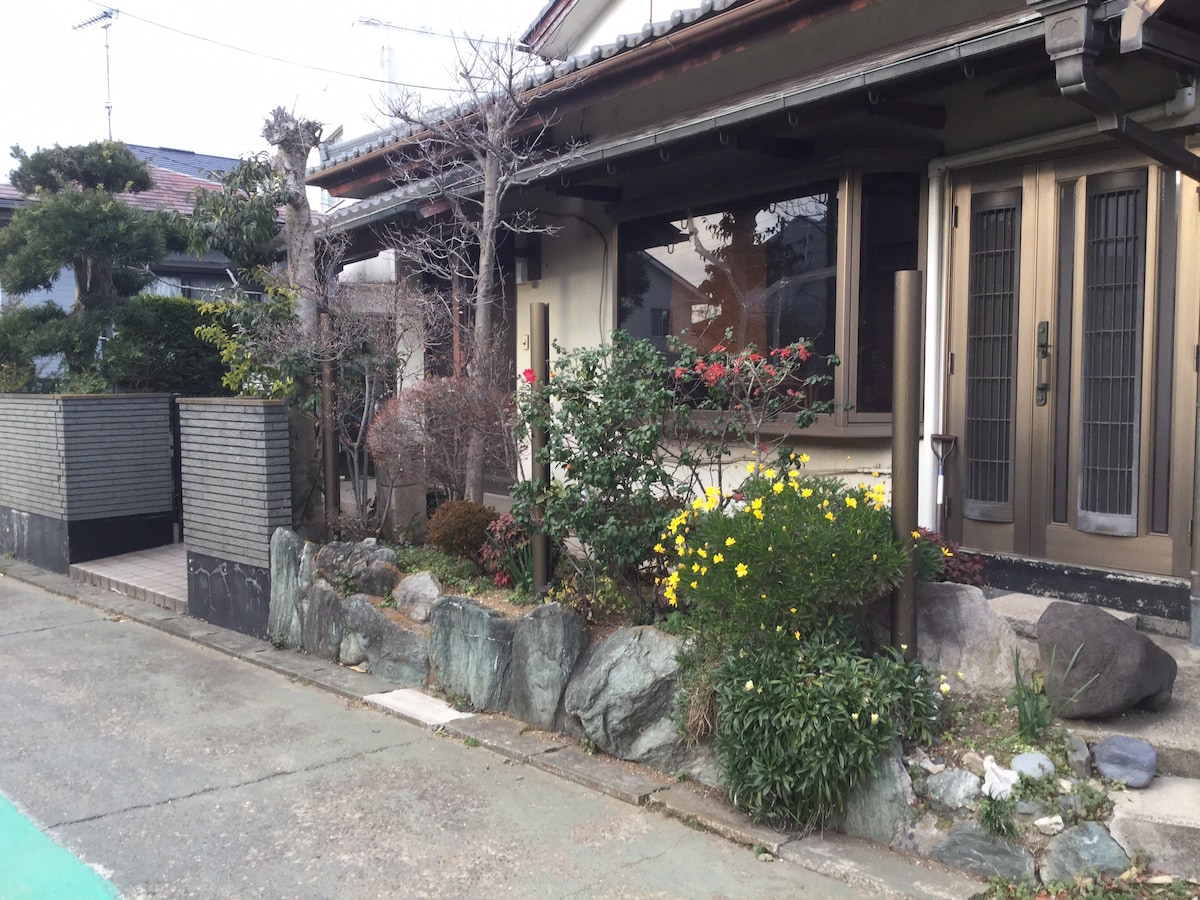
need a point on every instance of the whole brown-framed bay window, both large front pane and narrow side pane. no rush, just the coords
(766, 271)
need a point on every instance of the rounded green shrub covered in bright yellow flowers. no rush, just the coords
(787, 550)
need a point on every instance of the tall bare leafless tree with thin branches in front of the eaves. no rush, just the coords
(465, 161)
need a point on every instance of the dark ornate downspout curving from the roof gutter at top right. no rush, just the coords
(1075, 39)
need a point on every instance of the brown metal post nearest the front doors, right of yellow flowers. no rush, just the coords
(905, 452)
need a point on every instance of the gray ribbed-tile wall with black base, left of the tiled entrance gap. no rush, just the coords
(85, 477)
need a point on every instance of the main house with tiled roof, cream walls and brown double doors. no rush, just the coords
(1035, 160)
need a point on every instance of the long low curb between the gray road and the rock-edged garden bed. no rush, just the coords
(865, 867)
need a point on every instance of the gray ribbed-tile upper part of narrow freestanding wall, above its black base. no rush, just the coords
(237, 477)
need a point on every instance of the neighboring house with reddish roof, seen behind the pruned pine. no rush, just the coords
(177, 176)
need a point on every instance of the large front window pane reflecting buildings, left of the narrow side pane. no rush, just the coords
(763, 271)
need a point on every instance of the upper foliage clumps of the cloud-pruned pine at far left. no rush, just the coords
(76, 219)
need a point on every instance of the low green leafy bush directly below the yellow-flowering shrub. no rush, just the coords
(801, 722)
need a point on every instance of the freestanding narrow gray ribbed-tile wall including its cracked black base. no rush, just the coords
(237, 483)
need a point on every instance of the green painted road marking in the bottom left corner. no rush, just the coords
(33, 867)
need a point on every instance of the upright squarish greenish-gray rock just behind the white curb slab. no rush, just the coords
(471, 652)
